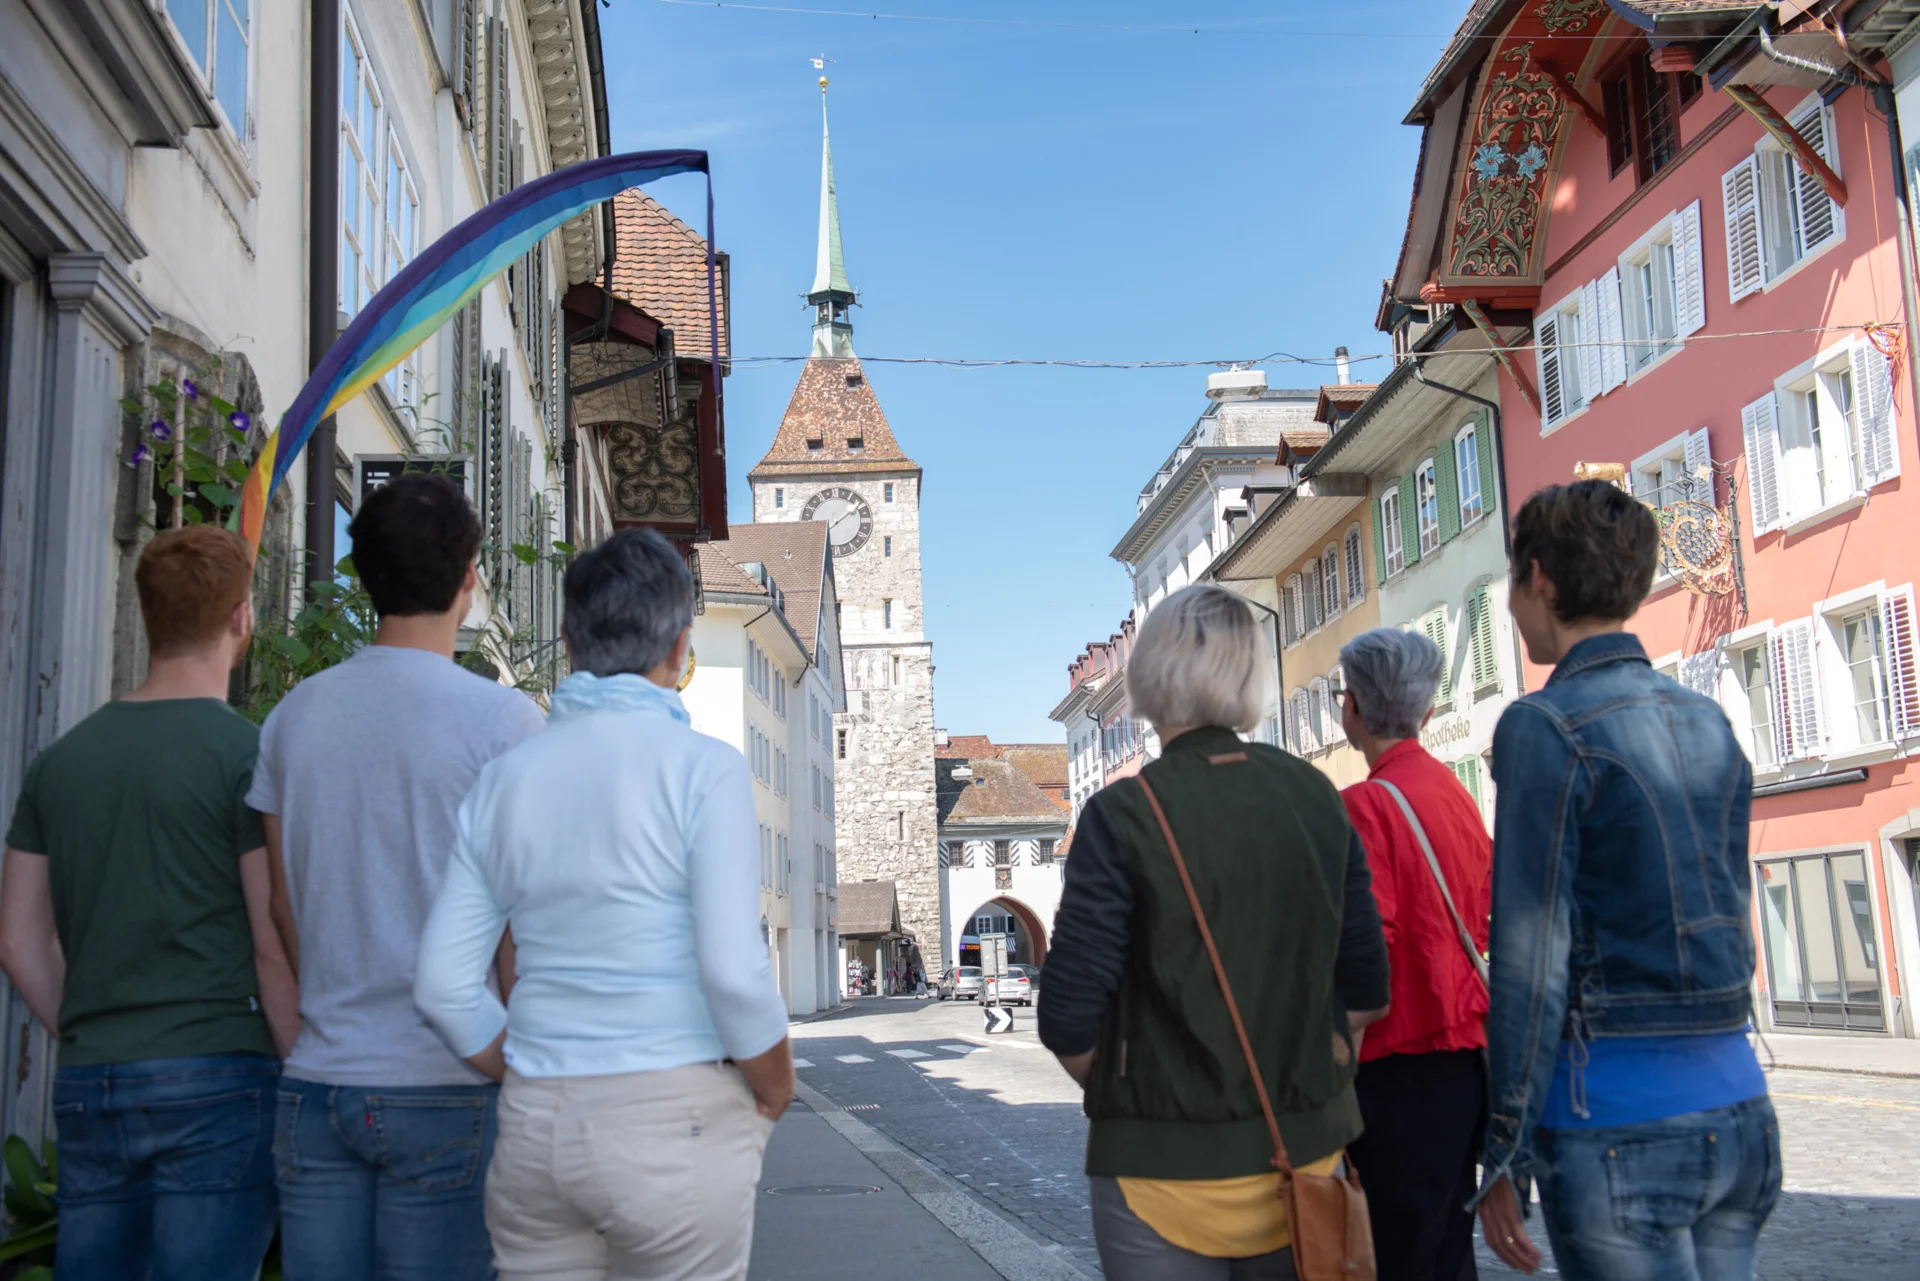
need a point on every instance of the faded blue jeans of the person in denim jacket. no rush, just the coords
(1681, 1199)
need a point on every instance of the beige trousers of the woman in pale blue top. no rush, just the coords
(617, 1178)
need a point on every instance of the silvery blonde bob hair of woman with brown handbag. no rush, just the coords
(1201, 662)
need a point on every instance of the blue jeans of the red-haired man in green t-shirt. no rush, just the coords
(166, 1169)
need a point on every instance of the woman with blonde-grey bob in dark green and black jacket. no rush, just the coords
(1180, 1153)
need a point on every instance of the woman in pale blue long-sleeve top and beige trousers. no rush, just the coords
(646, 1050)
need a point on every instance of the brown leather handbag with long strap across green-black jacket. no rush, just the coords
(1326, 1215)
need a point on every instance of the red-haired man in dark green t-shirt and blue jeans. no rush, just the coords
(135, 923)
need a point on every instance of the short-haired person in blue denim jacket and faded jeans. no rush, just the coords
(1623, 950)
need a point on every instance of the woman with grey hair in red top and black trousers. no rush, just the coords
(1422, 1069)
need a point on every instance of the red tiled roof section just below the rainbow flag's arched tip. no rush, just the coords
(661, 268)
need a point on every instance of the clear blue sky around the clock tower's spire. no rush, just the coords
(1047, 195)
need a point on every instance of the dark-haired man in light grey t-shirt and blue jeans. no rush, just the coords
(383, 1134)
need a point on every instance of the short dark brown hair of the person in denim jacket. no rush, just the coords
(1595, 543)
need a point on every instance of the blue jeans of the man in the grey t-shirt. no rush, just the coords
(385, 1184)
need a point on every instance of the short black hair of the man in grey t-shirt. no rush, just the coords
(414, 541)
